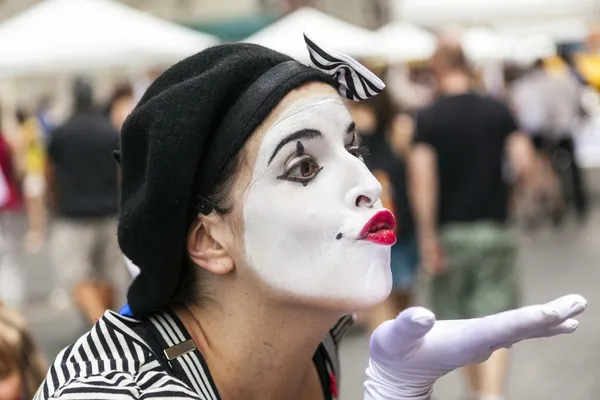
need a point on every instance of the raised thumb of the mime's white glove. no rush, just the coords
(397, 335)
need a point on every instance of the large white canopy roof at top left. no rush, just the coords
(59, 36)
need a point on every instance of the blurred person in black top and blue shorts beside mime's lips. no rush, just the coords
(382, 140)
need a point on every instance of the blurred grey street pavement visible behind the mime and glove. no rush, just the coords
(553, 263)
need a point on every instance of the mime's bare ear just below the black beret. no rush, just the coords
(205, 251)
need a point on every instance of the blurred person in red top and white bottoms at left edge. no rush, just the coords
(11, 282)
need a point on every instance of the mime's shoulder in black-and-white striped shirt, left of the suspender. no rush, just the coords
(109, 361)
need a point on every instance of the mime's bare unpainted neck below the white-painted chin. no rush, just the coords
(258, 352)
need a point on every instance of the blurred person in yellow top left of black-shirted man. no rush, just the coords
(31, 158)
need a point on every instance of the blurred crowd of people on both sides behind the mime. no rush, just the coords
(458, 161)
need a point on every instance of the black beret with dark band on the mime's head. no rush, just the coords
(193, 118)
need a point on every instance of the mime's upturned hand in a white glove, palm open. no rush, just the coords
(408, 354)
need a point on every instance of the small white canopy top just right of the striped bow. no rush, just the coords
(403, 41)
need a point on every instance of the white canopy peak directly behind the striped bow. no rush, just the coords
(286, 35)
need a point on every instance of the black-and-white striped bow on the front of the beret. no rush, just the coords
(355, 81)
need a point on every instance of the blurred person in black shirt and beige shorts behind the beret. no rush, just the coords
(83, 184)
